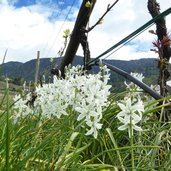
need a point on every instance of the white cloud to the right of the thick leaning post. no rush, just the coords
(124, 18)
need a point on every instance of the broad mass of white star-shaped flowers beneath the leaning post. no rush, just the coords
(86, 94)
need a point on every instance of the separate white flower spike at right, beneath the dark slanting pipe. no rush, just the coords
(131, 107)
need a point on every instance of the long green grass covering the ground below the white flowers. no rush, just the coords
(61, 144)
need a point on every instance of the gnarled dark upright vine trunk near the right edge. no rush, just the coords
(163, 46)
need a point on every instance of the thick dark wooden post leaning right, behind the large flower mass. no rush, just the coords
(81, 23)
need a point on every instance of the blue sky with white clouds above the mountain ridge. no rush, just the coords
(28, 26)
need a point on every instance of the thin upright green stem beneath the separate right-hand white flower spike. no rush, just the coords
(132, 145)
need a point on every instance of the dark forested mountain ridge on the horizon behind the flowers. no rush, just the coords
(26, 71)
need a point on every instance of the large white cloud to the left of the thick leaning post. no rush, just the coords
(27, 30)
